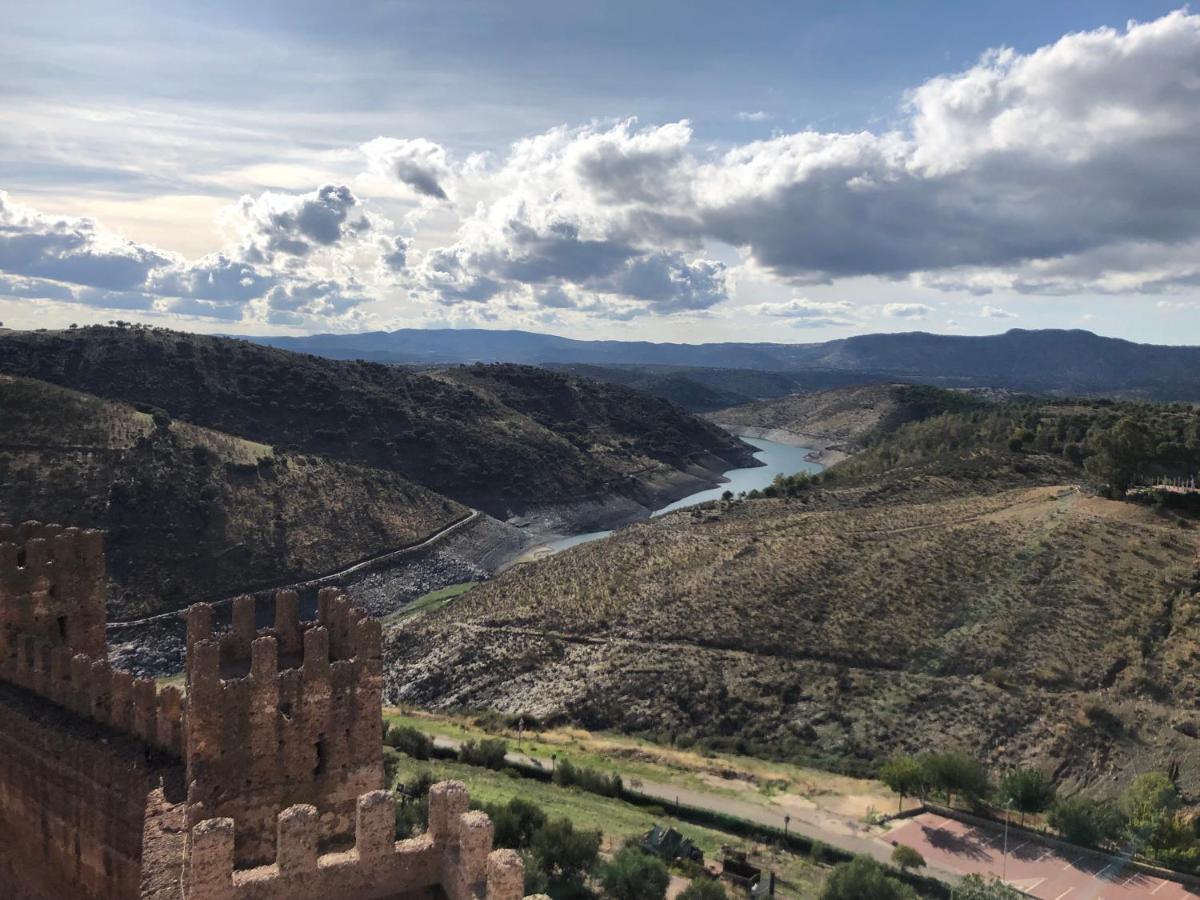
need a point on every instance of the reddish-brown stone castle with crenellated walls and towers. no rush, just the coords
(265, 781)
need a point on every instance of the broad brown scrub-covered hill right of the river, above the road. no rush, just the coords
(950, 587)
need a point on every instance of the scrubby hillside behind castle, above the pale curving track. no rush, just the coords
(194, 514)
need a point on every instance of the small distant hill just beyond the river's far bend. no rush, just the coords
(839, 423)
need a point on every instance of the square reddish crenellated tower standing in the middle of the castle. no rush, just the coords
(284, 713)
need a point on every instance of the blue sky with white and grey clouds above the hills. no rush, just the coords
(688, 172)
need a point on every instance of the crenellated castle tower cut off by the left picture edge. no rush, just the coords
(52, 586)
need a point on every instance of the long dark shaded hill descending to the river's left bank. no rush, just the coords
(507, 440)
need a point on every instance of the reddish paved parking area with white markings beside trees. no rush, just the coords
(1034, 867)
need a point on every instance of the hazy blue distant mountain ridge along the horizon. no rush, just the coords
(1060, 362)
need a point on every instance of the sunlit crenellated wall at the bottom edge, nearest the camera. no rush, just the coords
(455, 854)
